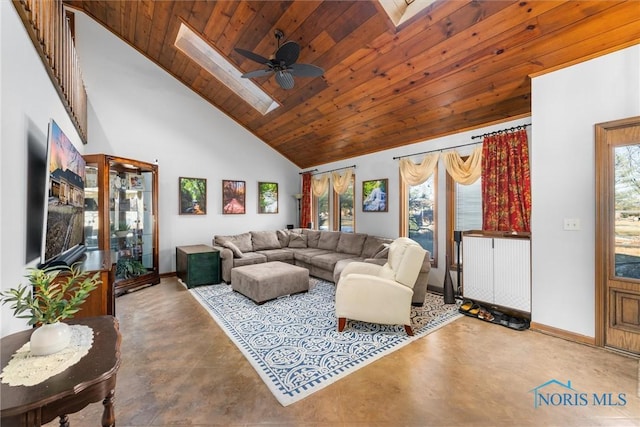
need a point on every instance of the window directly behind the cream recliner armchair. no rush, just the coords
(418, 213)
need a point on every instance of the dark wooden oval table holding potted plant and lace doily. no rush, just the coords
(92, 379)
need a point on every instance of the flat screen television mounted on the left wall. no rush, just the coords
(63, 236)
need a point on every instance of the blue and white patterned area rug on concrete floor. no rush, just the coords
(293, 342)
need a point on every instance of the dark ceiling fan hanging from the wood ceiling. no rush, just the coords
(282, 63)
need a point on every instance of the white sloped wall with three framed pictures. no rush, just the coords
(139, 111)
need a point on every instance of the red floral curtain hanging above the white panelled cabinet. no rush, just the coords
(506, 182)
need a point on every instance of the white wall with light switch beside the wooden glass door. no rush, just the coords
(566, 105)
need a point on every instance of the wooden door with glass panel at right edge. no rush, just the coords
(618, 234)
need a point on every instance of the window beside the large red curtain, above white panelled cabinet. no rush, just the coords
(464, 204)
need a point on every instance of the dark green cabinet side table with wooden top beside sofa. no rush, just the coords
(198, 265)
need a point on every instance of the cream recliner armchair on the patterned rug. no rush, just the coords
(381, 293)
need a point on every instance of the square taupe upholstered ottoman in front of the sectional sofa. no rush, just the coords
(269, 280)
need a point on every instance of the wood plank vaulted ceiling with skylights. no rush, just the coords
(457, 65)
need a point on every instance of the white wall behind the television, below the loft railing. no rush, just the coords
(28, 101)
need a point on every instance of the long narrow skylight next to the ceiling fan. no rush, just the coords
(196, 48)
